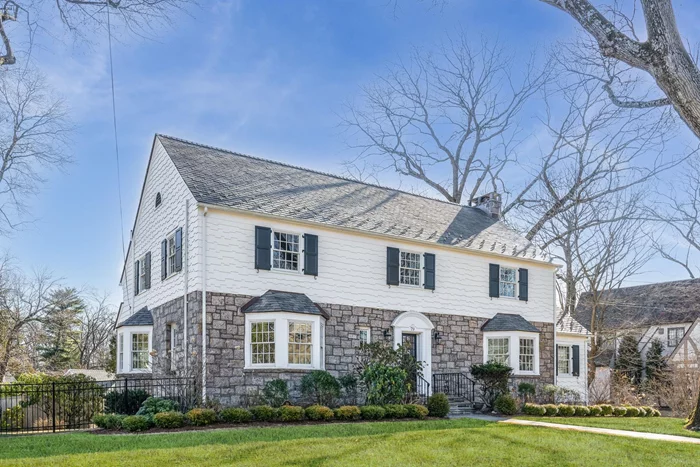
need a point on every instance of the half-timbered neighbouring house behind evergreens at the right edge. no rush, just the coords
(668, 311)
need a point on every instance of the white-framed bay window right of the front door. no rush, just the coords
(517, 349)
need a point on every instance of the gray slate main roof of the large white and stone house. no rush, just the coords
(223, 178)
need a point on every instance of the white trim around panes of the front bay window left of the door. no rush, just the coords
(282, 321)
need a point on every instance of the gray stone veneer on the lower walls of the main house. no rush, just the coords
(461, 344)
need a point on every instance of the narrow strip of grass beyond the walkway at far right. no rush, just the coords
(662, 425)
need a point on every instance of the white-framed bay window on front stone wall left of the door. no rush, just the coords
(284, 340)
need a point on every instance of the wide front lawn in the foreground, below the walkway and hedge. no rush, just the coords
(448, 442)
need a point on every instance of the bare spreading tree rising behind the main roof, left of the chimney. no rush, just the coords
(447, 119)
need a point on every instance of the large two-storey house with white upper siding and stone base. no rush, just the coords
(294, 268)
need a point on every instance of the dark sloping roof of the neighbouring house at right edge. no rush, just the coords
(645, 305)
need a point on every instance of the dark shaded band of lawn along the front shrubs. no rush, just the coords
(36, 446)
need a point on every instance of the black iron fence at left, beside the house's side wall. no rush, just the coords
(71, 405)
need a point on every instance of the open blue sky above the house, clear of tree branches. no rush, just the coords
(261, 77)
